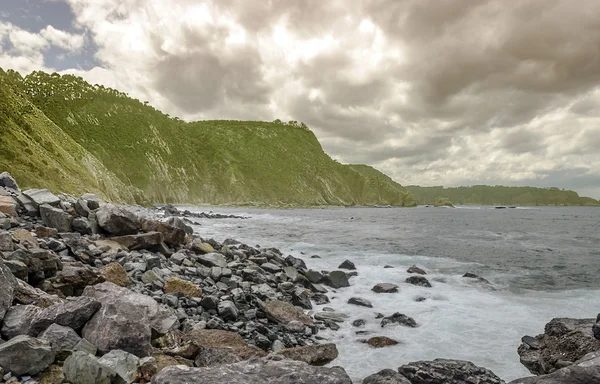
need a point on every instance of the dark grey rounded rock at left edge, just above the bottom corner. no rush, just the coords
(24, 355)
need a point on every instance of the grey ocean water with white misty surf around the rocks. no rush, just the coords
(541, 262)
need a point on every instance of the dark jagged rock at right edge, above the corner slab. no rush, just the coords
(564, 340)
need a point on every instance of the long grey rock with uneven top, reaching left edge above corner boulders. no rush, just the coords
(31, 320)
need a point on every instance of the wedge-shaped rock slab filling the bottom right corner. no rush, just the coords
(583, 371)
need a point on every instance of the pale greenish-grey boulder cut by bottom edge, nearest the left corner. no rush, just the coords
(83, 368)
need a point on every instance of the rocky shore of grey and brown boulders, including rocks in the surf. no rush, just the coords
(92, 292)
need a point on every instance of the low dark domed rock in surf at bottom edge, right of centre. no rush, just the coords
(444, 371)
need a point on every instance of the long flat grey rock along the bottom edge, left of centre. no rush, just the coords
(256, 371)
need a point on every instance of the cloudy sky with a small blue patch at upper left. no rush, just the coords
(431, 92)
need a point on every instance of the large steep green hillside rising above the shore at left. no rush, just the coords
(87, 137)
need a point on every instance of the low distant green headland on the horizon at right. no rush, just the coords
(500, 195)
